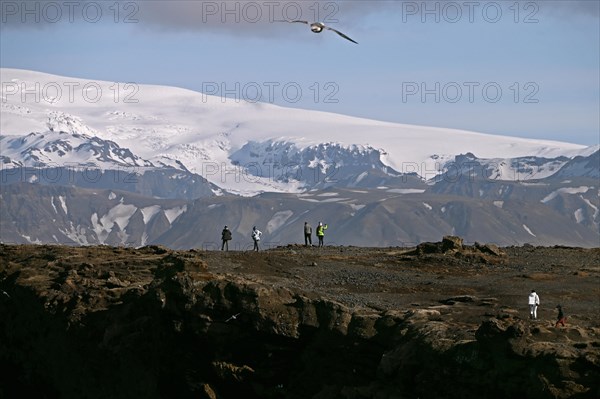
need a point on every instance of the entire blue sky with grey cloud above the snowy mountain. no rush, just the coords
(520, 68)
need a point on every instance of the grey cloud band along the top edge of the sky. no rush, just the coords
(247, 17)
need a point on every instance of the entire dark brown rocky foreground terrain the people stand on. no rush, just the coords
(441, 320)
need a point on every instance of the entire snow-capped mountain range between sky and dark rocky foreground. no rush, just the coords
(86, 162)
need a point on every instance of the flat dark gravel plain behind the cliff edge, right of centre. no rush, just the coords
(393, 279)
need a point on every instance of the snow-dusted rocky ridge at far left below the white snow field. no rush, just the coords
(74, 159)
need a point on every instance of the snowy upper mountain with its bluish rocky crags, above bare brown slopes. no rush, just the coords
(242, 147)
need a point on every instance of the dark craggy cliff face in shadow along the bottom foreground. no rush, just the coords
(105, 322)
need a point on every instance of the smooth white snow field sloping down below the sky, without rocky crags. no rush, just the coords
(167, 125)
